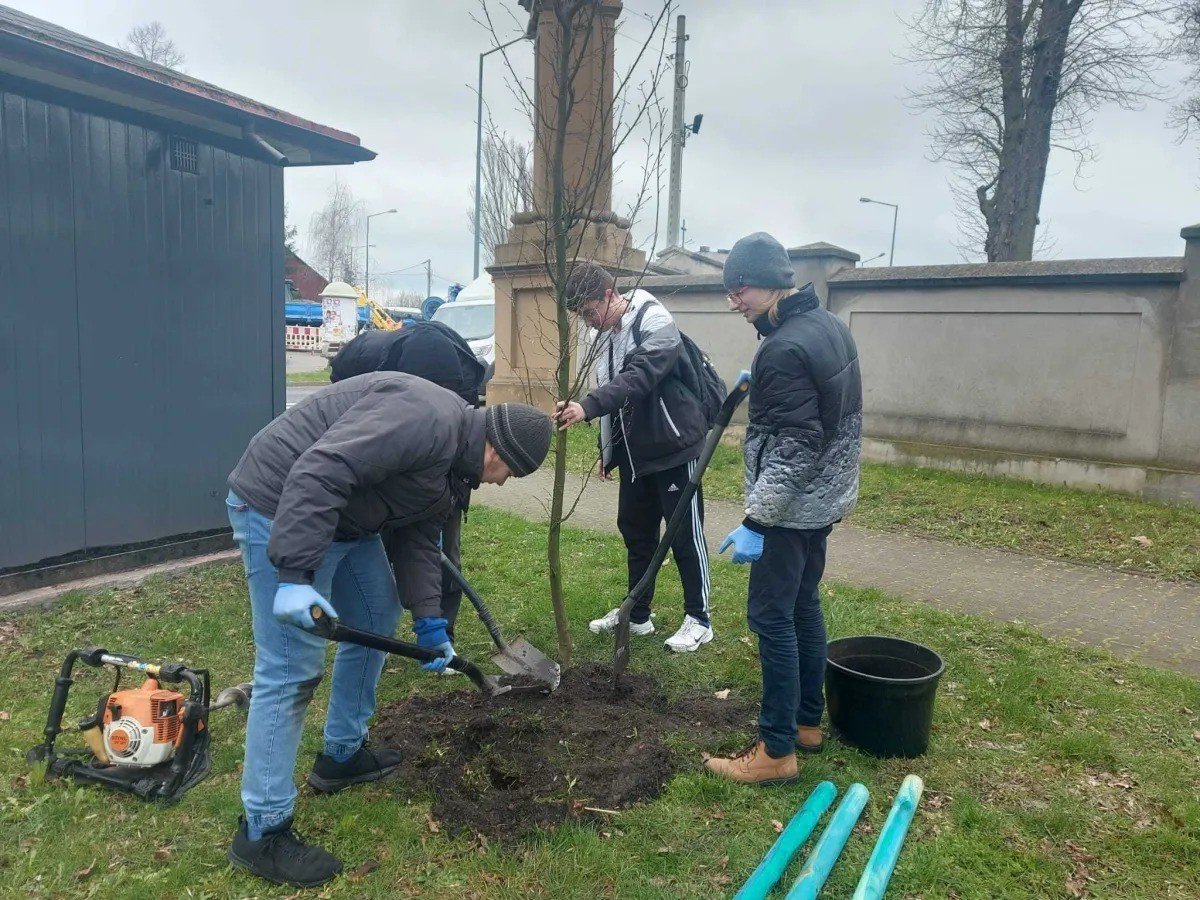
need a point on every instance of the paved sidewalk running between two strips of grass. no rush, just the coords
(1147, 620)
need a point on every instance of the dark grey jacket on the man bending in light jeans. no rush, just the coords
(381, 451)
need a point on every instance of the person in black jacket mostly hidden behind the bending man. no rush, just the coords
(437, 353)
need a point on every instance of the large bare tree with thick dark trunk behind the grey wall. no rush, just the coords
(1012, 80)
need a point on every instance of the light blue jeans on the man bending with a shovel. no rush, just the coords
(357, 579)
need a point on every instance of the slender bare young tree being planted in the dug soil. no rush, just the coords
(573, 200)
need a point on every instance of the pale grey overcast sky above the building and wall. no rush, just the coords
(803, 105)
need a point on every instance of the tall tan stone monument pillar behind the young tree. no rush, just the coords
(525, 269)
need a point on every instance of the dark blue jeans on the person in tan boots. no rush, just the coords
(784, 610)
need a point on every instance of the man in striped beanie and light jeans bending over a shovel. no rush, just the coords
(308, 502)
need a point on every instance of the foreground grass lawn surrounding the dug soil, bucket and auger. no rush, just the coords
(1054, 771)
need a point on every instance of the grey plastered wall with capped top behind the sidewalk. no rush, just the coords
(1079, 373)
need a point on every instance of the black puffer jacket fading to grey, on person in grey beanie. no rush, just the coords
(806, 431)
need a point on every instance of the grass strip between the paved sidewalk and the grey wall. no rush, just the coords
(1097, 527)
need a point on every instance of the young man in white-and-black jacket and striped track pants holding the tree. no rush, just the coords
(652, 430)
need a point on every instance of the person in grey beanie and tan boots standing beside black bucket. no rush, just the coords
(802, 454)
